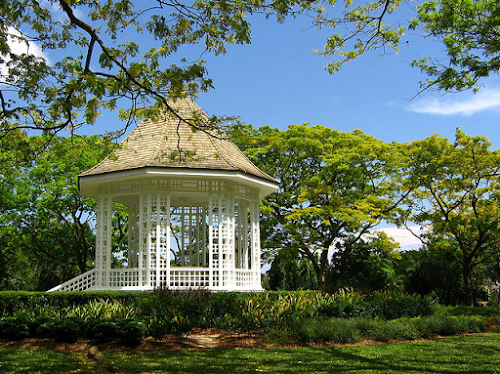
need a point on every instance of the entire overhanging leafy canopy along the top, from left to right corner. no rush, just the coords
(63, 62)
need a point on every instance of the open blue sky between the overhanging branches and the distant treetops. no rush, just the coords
(277, 81)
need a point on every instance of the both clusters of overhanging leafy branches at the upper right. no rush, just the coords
(468, 30)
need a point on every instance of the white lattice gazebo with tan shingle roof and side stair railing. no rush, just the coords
(192, 202)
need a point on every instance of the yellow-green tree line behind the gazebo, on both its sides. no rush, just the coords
(319, 231)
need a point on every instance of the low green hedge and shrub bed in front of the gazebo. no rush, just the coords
(304, 316)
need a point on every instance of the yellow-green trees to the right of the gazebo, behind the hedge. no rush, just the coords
(336, 188)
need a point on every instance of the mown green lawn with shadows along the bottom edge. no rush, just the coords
(477, 353)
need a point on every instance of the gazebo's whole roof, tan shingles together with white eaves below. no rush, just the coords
(170, 147)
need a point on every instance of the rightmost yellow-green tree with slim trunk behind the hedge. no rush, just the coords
(456, 199)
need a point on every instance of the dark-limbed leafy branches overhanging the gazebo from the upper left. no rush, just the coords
(89, 59)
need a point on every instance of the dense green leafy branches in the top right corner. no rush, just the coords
(468, 30)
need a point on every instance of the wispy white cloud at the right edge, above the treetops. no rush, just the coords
(466, 105)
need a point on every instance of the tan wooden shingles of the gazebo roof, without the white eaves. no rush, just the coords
(170, 142)
